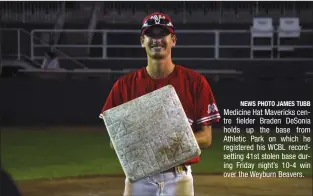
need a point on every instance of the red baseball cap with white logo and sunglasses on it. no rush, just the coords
(159, 19)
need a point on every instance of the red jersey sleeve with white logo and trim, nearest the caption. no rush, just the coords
(206, 108)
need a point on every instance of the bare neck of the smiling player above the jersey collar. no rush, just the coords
(160, 68)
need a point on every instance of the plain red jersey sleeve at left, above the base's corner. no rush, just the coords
(114, 98)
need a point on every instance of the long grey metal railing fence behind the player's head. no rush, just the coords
(191, 45)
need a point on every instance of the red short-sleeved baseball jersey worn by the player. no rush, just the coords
(191, 87)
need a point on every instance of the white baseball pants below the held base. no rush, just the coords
(163, 184)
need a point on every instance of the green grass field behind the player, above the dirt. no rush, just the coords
(29, 154)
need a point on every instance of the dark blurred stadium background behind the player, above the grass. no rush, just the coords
(247, 50)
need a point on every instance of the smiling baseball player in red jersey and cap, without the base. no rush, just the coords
(158, 38)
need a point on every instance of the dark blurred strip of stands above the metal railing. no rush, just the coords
(133, 12)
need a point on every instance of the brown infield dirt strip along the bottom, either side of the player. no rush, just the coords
(205, 185)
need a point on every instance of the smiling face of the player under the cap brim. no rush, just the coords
(158, 42)
